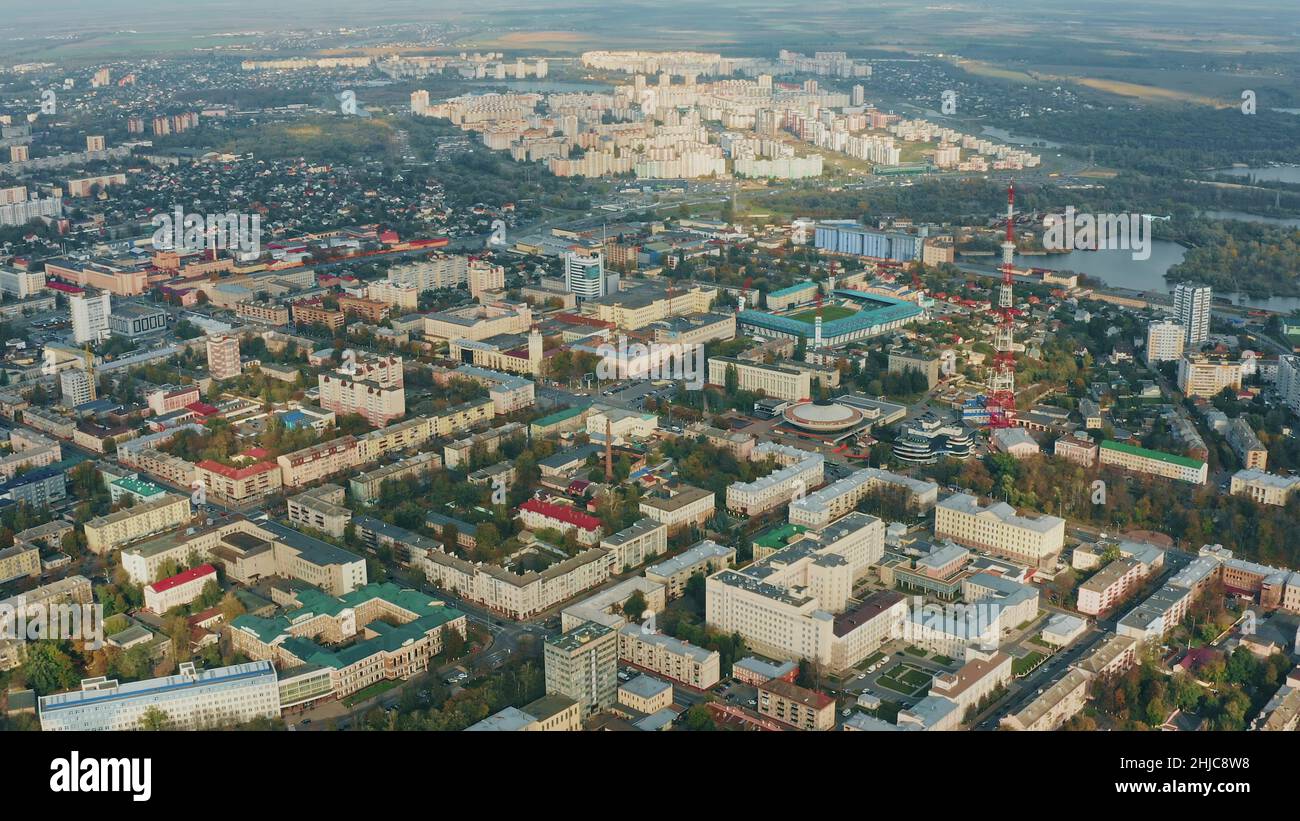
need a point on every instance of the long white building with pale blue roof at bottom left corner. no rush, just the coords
(192, 701)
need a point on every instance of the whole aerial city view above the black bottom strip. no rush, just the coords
(648, 368)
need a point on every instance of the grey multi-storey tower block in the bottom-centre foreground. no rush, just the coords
(583, 664)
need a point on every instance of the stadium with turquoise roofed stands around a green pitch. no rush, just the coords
(846, 318)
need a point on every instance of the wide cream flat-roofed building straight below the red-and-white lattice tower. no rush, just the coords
(1035, 541)
